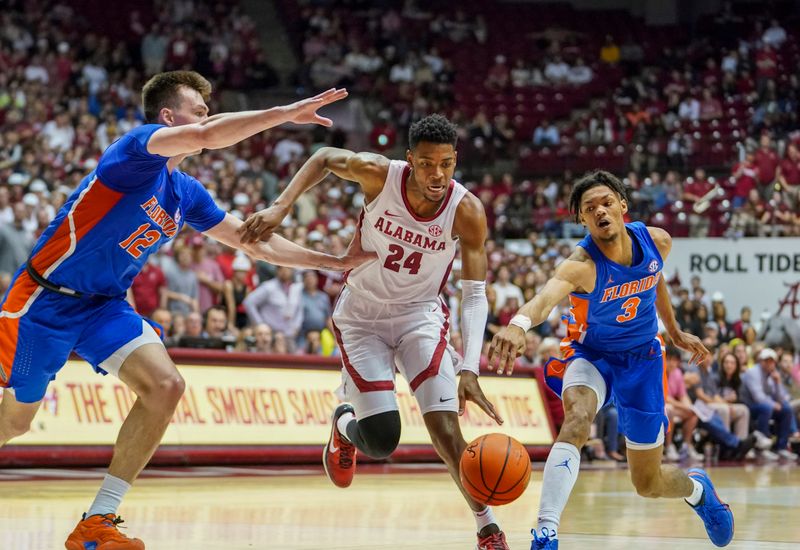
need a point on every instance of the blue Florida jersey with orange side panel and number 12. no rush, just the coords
(123, 211)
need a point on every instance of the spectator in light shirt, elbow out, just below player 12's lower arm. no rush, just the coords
(277, 303)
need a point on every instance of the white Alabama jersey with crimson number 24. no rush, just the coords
(415, 254)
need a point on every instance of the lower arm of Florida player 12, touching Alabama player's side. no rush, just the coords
(280, 251)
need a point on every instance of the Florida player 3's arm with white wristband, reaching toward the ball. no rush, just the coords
(574, 273)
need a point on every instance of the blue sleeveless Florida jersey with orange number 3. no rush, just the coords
(620, 313)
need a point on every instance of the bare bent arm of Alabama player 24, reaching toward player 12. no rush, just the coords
(367, 169)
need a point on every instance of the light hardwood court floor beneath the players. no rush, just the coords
(411, 508)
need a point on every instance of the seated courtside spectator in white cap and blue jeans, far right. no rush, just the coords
(764, 393)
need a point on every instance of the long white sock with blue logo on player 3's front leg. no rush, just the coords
(560, 474)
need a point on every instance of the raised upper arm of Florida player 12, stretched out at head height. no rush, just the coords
(225, 129)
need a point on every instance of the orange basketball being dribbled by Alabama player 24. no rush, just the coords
(495, 469)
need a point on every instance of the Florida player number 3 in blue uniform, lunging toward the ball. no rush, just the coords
(612, 352)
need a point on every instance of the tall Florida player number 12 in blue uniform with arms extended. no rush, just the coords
(70, 294)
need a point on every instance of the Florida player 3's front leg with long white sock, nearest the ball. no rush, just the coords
(583, 394)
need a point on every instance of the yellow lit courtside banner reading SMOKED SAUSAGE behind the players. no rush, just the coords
(236, 405)
